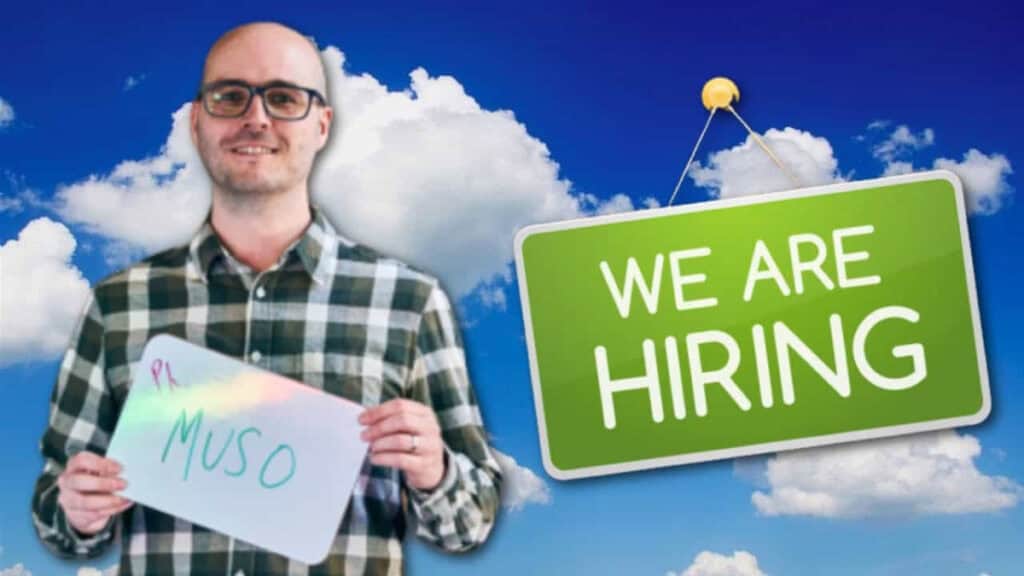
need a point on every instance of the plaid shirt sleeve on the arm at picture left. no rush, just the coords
(82, 418)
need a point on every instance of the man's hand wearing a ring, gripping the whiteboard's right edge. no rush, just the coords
(405, 435)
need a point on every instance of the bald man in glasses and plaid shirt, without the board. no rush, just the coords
(269, 281)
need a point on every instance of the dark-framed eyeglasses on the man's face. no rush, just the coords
(231, 99)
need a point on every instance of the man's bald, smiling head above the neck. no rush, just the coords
(257, 154)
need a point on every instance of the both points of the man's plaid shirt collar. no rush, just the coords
(315, 250)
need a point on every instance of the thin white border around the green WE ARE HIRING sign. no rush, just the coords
(753, 449)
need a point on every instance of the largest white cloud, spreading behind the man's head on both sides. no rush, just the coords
(423, 174)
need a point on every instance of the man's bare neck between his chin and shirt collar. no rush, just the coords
(259, 231)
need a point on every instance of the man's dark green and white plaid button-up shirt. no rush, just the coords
(332, 314)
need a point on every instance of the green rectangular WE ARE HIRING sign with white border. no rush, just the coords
(753, 325)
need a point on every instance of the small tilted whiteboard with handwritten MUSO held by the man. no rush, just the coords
(238, 449)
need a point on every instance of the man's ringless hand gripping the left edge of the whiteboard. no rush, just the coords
(87, 492)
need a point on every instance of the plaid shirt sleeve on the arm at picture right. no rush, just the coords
(459, 514)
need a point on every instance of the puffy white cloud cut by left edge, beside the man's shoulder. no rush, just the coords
(41, 294)
